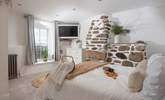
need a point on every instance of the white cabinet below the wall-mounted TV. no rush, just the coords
(76, 53)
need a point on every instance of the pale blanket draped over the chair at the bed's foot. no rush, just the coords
(57, 76)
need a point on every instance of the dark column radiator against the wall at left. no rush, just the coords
(12, 66)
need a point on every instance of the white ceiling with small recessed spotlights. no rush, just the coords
(77, 10)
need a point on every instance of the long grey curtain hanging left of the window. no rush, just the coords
(31, 48)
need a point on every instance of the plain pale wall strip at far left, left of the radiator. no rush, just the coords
(3, 53)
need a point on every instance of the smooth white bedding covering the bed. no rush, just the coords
(94, 85)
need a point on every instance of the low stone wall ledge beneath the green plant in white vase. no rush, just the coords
(126, 54)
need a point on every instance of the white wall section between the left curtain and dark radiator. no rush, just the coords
(17, 36)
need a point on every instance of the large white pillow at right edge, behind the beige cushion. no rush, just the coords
(154, 84)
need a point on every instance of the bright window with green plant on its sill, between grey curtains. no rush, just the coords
(44, 41)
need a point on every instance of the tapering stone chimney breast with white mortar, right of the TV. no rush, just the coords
(97, 37)
